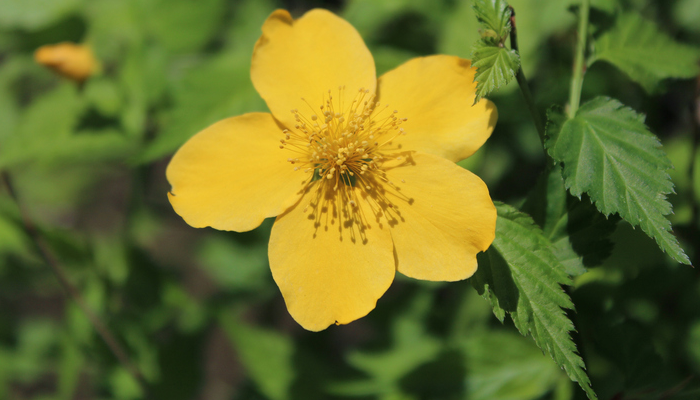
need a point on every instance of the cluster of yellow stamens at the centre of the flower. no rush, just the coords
(344, 146)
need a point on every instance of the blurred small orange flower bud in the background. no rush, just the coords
(73, 61)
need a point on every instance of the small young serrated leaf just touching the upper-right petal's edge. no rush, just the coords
(496, 66)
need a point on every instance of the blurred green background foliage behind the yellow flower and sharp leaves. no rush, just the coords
(197, 310)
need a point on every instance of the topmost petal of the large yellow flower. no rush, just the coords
(304, 58)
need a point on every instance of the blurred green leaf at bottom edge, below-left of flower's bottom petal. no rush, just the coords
(267, 356)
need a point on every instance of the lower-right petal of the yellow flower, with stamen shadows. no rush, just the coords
(445, 217)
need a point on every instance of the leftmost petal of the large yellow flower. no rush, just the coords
(232, 175)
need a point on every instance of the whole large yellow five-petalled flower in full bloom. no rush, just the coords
(359, 171)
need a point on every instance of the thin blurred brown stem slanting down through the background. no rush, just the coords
(51, 260)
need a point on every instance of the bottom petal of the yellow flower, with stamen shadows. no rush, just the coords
(329, 270)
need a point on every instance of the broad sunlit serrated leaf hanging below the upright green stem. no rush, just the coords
(608, 153)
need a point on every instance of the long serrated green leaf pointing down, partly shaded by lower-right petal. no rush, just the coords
(521, 275)
